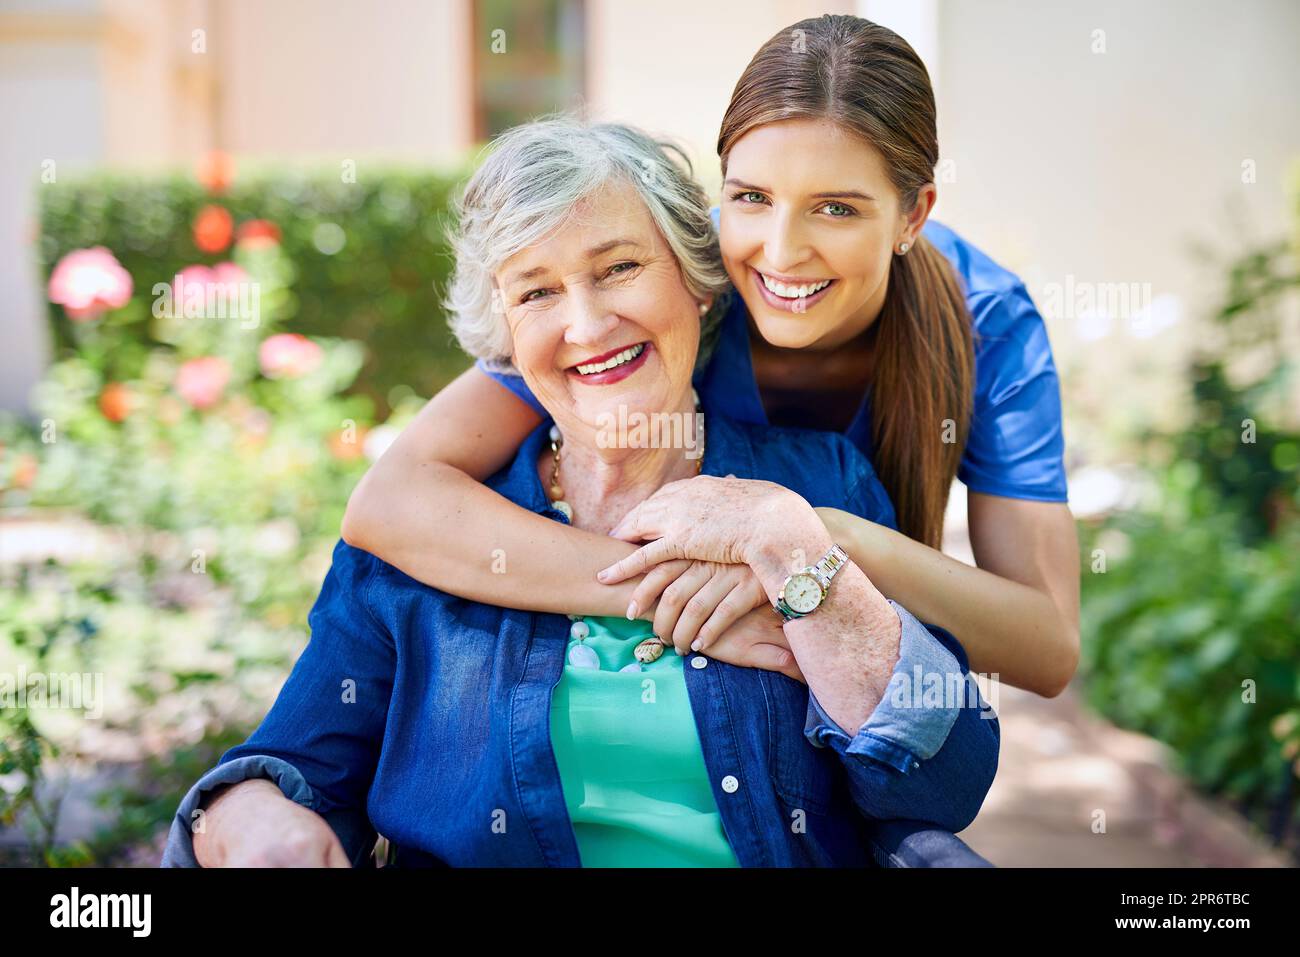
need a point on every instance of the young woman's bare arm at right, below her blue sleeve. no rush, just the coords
(1017, 614)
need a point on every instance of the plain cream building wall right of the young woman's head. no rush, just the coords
(1078, 167)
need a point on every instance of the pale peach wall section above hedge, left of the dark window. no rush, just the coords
(346, 77)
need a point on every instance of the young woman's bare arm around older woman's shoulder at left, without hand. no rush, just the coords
(423, 509)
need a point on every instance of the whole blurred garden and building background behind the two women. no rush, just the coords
(175, 464)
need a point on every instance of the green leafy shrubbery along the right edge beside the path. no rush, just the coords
(1191, 630)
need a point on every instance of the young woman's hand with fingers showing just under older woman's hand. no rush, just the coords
(695, 603)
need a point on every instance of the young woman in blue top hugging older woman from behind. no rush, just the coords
(852, 314)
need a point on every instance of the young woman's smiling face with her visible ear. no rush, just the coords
(811, 222)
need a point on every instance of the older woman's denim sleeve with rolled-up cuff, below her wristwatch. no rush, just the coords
(930, 748)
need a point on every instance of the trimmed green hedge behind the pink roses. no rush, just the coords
(383, 287)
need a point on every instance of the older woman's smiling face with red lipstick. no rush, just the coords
(601, 318)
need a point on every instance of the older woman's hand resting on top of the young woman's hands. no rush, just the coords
(710, 519)
